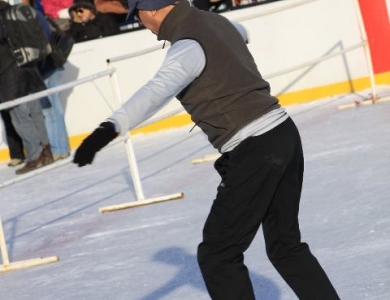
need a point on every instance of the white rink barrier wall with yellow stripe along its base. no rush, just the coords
(283, 35)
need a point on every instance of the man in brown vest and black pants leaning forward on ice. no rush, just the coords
(261, 165)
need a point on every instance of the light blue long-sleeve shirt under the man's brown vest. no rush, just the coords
(184, 62)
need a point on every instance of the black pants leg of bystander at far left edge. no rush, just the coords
(15, 144)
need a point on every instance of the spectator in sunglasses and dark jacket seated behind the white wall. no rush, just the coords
(87, 23)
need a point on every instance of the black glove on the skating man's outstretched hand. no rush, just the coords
(102, 135)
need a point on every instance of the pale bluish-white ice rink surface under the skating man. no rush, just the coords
(149, 252)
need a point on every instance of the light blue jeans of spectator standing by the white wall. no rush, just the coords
(55, 117)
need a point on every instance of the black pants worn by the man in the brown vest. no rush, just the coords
(261, 185)
